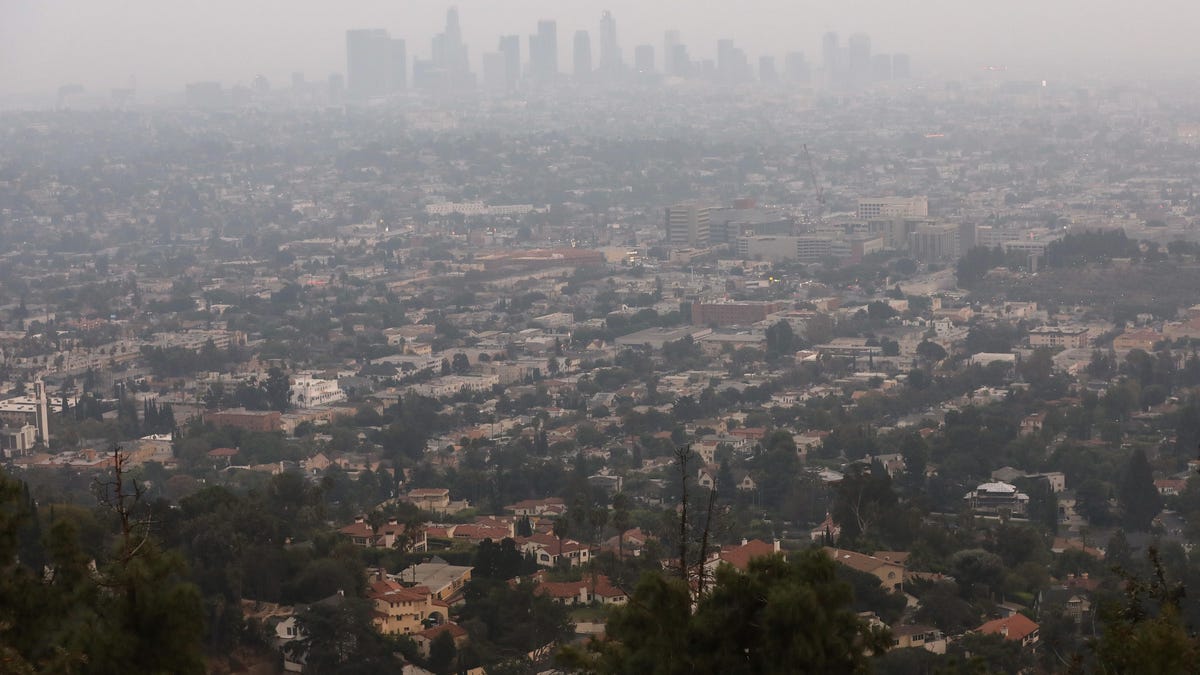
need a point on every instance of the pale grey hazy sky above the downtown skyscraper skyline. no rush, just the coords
(164, 44)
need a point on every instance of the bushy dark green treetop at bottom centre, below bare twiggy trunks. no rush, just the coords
(778, 617)
